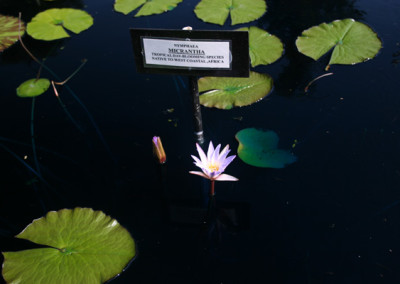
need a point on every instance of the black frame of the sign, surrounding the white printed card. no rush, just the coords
(239, 44)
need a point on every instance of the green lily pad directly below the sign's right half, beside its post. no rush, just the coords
(227, 92)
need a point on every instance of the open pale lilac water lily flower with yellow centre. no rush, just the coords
(214, 164)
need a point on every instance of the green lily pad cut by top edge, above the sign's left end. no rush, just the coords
(148, 8)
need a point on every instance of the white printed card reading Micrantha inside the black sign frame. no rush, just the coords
(187, 54)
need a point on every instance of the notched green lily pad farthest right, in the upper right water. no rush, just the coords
(352, 42)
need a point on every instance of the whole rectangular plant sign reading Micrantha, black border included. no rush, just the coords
(193, 53)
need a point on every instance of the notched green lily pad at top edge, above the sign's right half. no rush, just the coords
(241, 11)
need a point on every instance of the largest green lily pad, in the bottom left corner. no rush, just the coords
(85, 246)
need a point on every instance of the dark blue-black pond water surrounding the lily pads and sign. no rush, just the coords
(331, 217)
